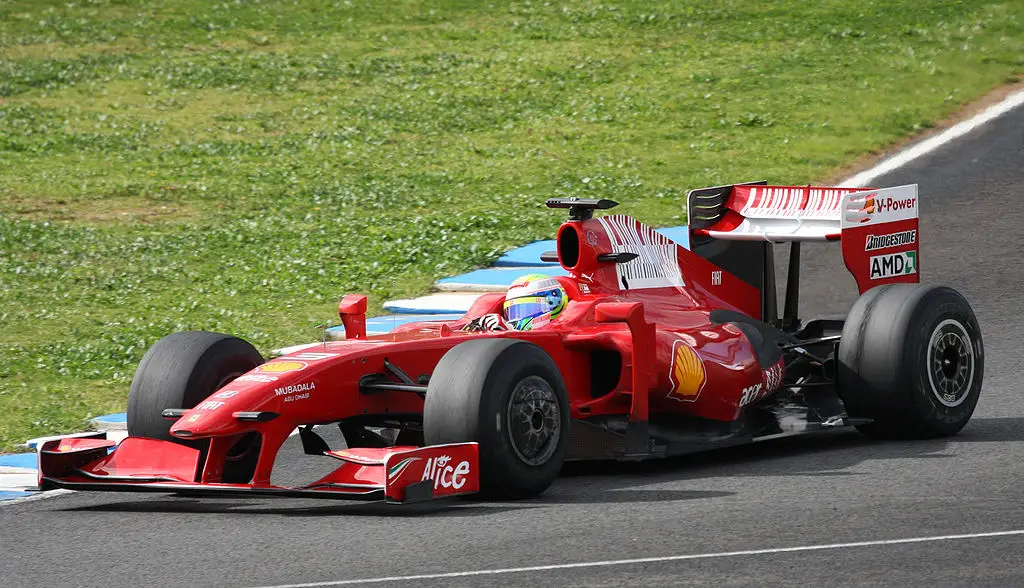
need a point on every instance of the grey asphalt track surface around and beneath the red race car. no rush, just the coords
(837, 489)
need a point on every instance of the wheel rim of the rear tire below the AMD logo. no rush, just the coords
(951, 363)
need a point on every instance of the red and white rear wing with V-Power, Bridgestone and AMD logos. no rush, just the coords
(735, 227)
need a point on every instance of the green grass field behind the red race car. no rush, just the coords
(236, 166)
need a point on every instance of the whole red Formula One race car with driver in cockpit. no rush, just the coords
(660, 351)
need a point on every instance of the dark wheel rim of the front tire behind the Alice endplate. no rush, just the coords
(534, 421)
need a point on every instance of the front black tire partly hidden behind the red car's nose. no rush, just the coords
(179, 372)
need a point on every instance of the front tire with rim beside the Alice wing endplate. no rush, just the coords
(507, 396)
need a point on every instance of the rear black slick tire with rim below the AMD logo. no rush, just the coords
(912, 360)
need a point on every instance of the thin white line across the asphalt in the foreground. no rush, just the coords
(612, 563)
